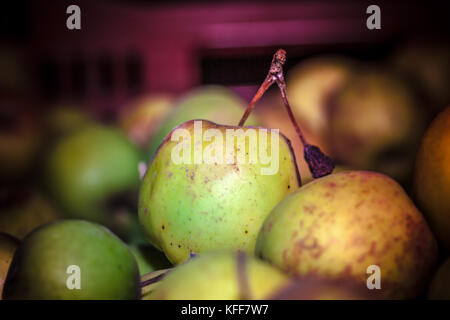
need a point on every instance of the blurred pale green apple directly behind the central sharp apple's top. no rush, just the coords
(214, 103)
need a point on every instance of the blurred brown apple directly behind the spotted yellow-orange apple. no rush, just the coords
(376, 124)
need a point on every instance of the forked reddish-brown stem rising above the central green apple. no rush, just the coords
(319, 164)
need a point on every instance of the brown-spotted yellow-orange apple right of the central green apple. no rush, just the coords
(338, 225)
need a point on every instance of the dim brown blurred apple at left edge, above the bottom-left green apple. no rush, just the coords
(23, 209)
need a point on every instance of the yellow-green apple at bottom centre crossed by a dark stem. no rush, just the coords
(215, 276)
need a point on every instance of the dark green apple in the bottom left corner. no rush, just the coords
(108, 269)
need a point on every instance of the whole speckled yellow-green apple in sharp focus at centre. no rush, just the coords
(188, 204)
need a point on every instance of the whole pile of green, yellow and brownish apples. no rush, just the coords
(119, 219)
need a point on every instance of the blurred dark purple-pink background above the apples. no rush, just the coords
(126, 48)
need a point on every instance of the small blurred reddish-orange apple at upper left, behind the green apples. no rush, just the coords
(143, 117)
